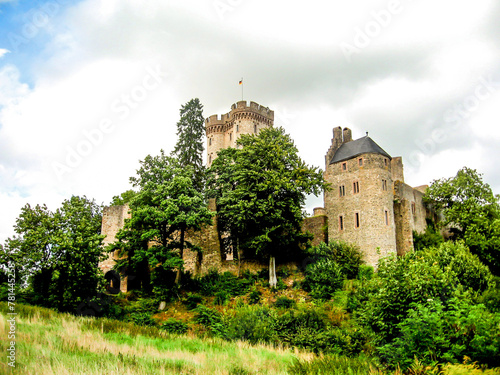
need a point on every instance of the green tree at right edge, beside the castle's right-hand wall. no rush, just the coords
(472, 211)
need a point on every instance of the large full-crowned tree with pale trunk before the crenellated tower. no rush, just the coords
(260, 190)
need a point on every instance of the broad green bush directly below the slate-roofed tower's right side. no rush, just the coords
(436, 274)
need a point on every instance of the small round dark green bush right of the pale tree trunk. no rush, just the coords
(323, 279)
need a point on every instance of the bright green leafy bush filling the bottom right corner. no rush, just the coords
(433, 332)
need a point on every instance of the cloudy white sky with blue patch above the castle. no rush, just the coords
(88, 88)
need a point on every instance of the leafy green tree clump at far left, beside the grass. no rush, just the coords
(59, 251)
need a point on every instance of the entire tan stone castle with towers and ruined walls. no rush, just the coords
(368, 204)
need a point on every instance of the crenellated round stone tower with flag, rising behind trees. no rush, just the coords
(242, 119)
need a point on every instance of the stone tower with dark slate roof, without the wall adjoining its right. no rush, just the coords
(360, 205)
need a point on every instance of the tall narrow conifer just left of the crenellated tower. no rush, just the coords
(191, 133)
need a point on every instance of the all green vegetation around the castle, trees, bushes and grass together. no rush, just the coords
(433, 311)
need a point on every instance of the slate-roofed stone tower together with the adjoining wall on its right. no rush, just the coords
(369, 203)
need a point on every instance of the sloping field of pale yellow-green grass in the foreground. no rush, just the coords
(51, 343)
